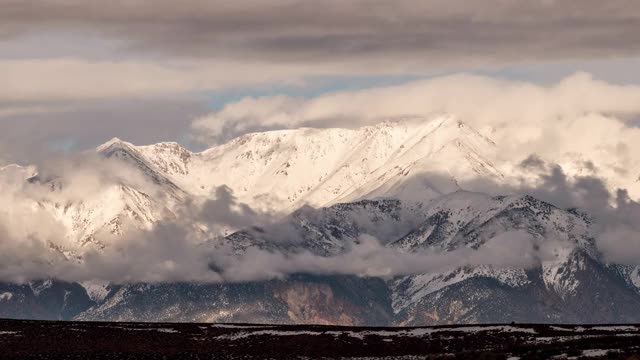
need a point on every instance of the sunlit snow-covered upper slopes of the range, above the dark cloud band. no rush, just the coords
(280, 171)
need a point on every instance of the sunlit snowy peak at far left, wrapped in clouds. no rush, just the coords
(90, 217)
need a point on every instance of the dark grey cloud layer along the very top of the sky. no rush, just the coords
(432, 31)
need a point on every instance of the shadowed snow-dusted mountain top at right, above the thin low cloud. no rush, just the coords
(470, 219)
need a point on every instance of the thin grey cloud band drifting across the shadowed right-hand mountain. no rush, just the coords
(368, 257)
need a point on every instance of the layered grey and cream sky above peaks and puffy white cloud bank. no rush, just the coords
(74, 73)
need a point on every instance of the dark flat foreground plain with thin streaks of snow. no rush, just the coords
(22, 339)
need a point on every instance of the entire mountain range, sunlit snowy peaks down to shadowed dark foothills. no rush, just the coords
(362, 182)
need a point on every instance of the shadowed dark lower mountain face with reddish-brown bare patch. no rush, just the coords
(302, 299)
